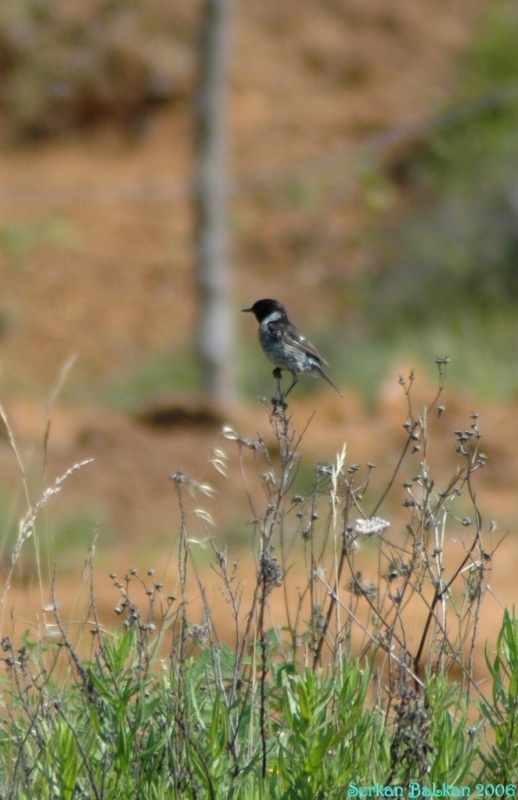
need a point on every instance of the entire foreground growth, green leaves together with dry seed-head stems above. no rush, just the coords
(350, 691)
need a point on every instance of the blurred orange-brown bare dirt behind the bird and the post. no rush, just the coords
(110, 278)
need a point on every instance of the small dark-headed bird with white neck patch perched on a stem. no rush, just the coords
(285, 346)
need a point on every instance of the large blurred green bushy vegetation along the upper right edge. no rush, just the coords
(447, 277)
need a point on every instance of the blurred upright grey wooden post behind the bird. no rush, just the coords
(216, 328)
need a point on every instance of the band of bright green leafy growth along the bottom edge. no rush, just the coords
(128, 722)
